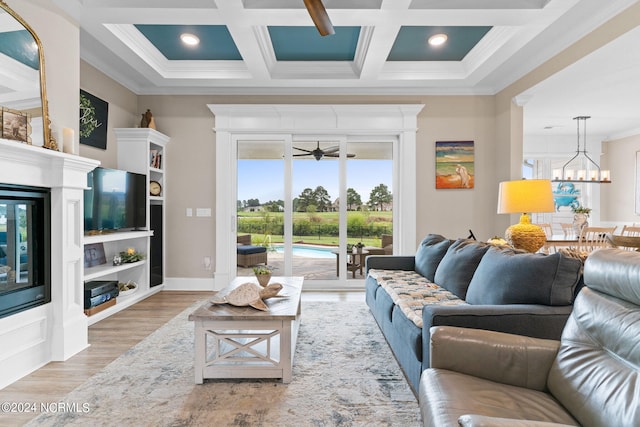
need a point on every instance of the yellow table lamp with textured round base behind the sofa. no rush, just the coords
(525, 196)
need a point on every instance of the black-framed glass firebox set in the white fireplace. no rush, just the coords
(25, 248)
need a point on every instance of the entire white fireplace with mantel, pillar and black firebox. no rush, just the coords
(54, 330)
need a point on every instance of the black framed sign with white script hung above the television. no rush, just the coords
(94, 113)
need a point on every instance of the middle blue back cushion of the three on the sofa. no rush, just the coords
(456, 269)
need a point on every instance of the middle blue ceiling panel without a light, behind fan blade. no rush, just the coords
(306, 44)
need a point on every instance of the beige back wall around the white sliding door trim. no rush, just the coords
(191, 161)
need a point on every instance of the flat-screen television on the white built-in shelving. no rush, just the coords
(115, 200)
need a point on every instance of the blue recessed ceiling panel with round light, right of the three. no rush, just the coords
(411, 43)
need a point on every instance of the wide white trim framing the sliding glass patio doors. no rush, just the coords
(286, 120)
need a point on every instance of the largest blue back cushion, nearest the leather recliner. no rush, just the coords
(505, 276)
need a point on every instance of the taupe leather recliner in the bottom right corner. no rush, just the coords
(590, 377)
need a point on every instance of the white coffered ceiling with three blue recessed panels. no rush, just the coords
(380, 46)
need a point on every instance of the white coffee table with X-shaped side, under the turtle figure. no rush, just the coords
(243, 342)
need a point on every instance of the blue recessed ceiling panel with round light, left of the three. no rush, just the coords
(216, 42)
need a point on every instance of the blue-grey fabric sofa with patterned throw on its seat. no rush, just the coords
(469, 284)
